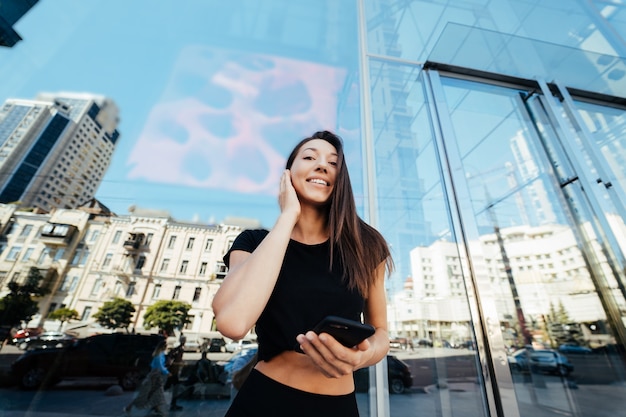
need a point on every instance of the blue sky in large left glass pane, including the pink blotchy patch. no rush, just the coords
(206, 116)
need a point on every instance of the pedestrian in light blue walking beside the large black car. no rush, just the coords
(151, 393)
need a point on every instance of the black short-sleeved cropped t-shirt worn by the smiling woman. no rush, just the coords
(306, 291)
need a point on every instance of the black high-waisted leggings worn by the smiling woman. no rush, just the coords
(261, 396)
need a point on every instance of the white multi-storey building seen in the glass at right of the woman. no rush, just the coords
(548, 268)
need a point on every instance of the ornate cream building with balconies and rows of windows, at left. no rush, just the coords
(89, 255)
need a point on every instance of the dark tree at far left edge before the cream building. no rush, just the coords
(18, 305)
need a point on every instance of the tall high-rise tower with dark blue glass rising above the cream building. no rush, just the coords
(54, 150)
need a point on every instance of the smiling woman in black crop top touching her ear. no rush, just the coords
(319, 259)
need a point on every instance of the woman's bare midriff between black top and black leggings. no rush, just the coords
(298, 371)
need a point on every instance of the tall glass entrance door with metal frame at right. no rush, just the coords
(543, 232)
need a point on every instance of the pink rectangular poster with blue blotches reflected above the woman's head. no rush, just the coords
(226, 120)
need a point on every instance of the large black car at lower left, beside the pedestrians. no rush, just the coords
(123, 356)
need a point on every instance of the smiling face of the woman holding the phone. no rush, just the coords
(314, 171)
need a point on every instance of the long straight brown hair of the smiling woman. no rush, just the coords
(360, 247)
